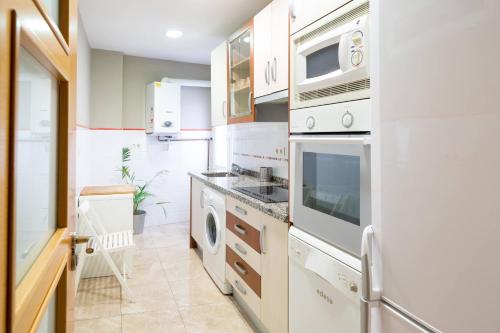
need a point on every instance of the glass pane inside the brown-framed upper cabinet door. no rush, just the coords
(240, 75)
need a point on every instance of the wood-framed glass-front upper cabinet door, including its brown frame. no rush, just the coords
(241, 76)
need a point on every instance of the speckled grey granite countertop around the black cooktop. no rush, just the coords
(225, 185)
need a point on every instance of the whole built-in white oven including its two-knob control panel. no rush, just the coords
(330, 173)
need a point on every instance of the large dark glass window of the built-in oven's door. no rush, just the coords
(331, 185)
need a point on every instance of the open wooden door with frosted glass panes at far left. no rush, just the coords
(37, 124)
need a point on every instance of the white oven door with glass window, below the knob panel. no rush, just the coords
(330, 188)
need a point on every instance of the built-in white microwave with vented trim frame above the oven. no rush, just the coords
(330, 58)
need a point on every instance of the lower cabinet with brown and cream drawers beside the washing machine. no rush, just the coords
(257, 263)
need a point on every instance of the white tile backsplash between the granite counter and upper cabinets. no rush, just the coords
(255, 145)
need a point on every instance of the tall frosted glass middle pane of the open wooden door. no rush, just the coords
(35, 161)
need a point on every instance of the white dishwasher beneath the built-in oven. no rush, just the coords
(324, 286)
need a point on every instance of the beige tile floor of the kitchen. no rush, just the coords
(173, 293)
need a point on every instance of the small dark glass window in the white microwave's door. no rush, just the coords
(323, 61)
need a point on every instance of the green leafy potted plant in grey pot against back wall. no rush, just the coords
(141, 191)
